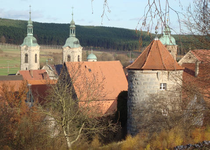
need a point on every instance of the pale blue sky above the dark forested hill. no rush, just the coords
(123, 13)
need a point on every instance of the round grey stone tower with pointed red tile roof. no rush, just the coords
(153, 74)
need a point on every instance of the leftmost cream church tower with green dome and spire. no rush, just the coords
(30, 50)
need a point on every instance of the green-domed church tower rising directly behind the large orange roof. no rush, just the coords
(72, 50)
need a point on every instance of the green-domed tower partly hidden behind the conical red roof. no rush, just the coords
(169, 42)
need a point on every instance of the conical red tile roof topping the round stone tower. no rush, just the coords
(155, 57)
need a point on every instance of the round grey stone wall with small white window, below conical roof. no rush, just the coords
(142, 85)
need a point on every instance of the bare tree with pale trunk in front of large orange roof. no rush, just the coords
(72, 109)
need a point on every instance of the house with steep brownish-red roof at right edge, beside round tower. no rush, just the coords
(196, 91)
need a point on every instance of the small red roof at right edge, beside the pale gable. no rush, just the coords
(202, 55)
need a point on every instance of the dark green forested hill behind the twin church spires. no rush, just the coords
(14, 32)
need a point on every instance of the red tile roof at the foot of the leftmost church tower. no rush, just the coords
(34, 74)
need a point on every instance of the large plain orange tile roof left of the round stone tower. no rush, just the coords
(100, 82)
